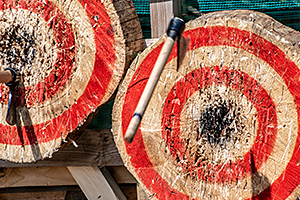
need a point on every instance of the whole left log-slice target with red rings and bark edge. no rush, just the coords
(72, 55)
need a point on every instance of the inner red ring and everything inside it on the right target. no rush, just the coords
(201, 145)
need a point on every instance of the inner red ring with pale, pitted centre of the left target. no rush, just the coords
(42, 47)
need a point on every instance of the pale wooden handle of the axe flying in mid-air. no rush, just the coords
(148, 91)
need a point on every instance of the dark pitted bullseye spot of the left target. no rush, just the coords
(17, 47)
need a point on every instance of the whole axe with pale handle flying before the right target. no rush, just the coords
(174, 32)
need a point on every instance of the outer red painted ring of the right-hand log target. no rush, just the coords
(250, 42)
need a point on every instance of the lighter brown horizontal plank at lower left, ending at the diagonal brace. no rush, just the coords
(35, 176)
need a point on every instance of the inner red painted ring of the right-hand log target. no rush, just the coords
(204, 77)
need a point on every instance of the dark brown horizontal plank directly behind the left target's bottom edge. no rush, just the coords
(95, 148)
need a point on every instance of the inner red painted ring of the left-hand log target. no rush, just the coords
(66, 49)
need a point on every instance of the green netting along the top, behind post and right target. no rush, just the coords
(285, 11)
